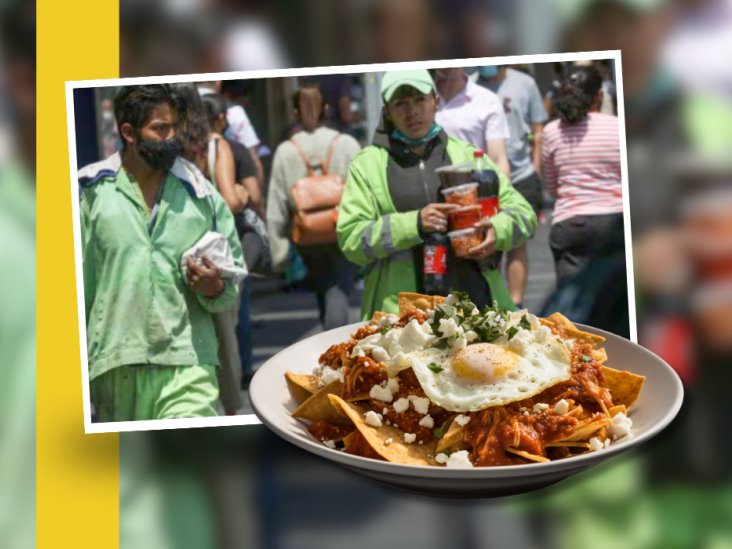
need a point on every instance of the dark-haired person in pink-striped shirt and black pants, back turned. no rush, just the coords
(581, 166)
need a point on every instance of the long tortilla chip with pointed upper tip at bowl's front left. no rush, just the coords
(396, 450)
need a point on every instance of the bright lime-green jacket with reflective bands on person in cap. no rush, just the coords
(373, 234)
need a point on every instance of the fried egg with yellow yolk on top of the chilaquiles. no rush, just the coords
(481, 375)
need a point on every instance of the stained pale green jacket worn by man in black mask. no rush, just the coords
(139, 308)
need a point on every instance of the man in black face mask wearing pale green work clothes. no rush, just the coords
(151, 345)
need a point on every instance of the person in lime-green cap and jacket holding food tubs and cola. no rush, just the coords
(389, 203)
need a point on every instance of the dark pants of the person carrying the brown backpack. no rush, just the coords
(331, 276)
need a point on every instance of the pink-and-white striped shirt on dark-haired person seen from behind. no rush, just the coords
(582, 166)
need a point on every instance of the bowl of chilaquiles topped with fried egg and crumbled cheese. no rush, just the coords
(443, 386)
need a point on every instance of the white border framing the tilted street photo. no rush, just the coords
(251, 419)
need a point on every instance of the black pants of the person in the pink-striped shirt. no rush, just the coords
(576, 240)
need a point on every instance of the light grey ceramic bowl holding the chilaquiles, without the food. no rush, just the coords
(657, 405)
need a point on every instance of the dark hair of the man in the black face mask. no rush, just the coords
(134, 104)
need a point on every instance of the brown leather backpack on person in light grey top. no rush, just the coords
(316, 199)
